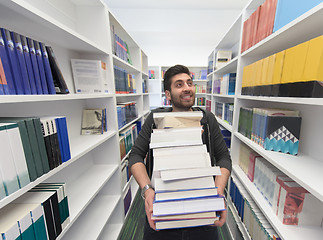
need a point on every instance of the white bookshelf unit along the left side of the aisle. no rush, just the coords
(93, 174)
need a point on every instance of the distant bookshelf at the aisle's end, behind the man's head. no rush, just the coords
(156, 88)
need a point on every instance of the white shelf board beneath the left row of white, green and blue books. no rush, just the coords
(79, 147)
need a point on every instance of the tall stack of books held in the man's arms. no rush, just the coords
(183, 177)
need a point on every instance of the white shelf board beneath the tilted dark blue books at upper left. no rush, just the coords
(50, 98)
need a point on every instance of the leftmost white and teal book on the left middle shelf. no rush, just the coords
(7, 165)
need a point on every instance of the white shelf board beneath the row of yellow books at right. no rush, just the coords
(292, 100)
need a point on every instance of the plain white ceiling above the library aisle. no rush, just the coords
(177, 31)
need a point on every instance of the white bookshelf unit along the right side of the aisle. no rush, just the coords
(307, 166)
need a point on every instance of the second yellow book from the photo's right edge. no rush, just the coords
(299, 62)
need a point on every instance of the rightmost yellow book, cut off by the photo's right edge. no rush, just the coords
(313, 70)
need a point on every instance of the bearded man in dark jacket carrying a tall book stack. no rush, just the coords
(180, 90)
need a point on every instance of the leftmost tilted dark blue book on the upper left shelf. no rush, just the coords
(10, 88)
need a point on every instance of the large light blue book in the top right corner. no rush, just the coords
(289, 10)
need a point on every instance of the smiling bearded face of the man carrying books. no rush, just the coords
(182, 92)
